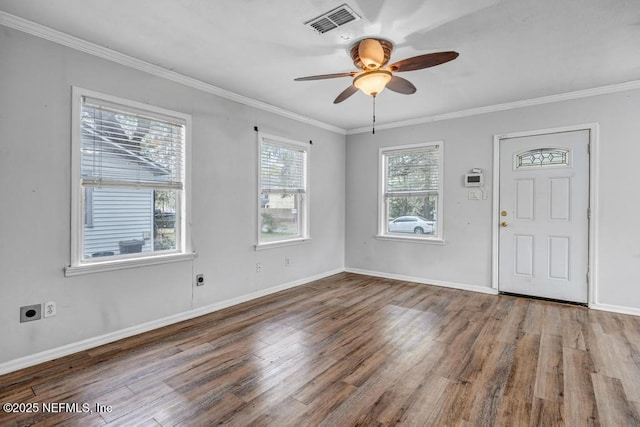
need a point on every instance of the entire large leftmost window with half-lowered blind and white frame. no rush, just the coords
(129, 181)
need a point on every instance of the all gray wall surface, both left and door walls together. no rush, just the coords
(35, 151)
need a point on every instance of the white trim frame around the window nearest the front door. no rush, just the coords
(382, 232)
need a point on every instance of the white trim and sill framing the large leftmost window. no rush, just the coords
(183, 250)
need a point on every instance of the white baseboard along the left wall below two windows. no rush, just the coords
(65, 350)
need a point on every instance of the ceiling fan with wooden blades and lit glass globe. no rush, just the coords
(371, 56)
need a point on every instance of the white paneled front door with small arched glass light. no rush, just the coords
(544, 224)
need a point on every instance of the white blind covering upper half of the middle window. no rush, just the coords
(282, 168)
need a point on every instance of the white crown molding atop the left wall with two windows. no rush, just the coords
(76, 43)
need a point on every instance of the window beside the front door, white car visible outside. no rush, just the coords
(411, 192)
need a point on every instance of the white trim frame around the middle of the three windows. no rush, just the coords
(304, 235)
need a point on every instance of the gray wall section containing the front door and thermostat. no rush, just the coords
(465, 258)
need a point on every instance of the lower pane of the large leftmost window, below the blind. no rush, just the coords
(120, 221)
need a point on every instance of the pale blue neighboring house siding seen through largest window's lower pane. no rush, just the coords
(118, 214)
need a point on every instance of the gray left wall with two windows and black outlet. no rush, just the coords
(35, 153)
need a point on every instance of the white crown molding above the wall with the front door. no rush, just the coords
(585, 93)
